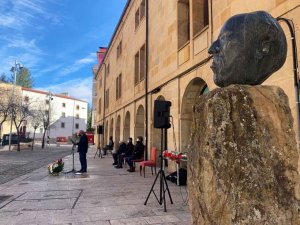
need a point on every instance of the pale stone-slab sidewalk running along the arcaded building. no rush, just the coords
(104, 196)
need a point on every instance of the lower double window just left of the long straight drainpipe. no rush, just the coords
(140, 65)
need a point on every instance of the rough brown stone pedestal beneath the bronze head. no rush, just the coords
(243, 159)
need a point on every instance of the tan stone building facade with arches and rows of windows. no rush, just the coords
(177, 35)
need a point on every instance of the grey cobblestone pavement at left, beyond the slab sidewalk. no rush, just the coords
(14, 164)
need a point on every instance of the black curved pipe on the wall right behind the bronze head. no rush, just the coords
(290, 24)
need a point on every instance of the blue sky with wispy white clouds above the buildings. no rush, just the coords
(57, 40)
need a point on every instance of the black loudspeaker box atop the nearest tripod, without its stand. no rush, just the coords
(162, 114)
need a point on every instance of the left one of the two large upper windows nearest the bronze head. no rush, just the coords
(183, 22)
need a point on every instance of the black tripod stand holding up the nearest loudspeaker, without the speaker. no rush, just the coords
(163, 182)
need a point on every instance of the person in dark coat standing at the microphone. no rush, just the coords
(82, 150)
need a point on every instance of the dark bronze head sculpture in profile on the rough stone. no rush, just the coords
(249, 48)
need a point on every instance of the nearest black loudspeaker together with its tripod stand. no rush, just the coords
(161, 121)
